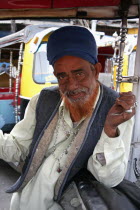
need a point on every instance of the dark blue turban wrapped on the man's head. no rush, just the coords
(72, 40)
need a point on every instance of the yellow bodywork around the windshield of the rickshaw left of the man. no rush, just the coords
(28, 87)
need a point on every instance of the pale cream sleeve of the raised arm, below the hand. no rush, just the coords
(108, 164)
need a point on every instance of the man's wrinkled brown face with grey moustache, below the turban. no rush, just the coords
(77, 78)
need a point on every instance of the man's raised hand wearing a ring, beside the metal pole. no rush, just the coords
(121, 111)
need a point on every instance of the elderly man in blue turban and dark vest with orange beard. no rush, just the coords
(83, 124)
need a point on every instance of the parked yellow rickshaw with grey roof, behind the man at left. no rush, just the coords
(26, 73)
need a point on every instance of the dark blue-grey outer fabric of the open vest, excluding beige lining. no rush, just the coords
(47, 106)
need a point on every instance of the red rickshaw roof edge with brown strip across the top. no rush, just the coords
(67, 9)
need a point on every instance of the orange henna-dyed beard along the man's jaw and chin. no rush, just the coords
(81, 109)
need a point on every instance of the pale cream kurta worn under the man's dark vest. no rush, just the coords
(39, 192)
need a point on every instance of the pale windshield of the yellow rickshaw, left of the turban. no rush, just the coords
(42, 71)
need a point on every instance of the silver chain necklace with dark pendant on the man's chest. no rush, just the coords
(67, 133)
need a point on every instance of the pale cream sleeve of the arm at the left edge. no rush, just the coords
(15, 145)
